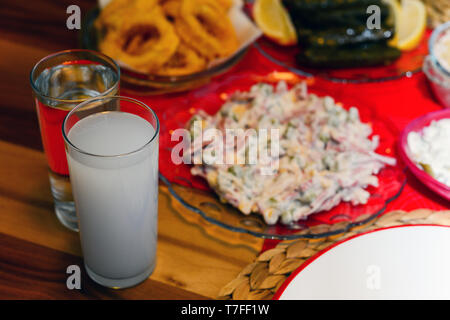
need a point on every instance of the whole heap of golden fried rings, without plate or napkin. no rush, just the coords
(145, 34)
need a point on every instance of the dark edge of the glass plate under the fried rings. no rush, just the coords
(148, 84)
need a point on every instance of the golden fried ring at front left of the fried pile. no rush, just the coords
(146, 41)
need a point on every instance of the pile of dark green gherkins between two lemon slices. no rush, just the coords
(335, 33)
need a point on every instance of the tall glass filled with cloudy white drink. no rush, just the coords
(112, 152)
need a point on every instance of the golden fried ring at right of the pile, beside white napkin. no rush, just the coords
(204, 25)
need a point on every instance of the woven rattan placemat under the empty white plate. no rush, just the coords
(262, 278)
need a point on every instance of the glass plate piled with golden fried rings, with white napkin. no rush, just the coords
(169, 45)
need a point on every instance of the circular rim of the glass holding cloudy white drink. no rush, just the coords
(98, 98)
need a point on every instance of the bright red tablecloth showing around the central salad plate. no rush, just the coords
(400, 101)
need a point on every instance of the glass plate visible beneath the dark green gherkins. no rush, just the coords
(409, 62)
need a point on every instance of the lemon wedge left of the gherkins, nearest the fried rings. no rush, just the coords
(274, 21)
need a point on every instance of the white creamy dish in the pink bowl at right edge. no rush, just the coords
(430, 149)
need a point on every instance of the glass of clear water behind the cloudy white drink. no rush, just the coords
(61, 81)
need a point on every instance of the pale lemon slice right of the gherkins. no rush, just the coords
(410, 24)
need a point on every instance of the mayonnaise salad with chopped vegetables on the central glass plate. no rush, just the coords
(326, 154)
